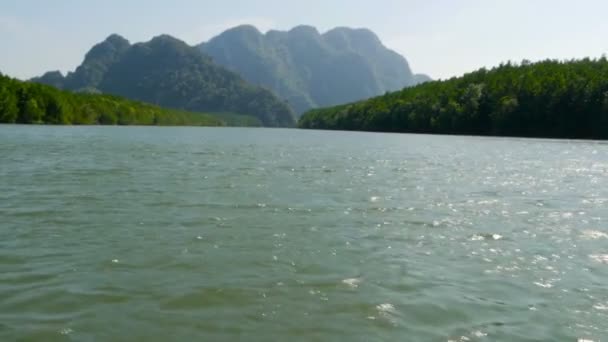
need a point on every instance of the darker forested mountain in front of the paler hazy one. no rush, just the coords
(167, 72)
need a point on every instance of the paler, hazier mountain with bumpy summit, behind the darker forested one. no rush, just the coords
(309, 69)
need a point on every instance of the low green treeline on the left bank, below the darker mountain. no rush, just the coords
(32, 103)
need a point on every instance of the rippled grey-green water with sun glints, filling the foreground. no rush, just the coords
(157, 234)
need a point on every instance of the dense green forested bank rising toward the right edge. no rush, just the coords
(545, 99)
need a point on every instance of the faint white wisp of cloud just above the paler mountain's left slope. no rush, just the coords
(205, 32)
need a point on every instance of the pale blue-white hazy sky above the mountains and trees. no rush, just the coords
(442, 38)
